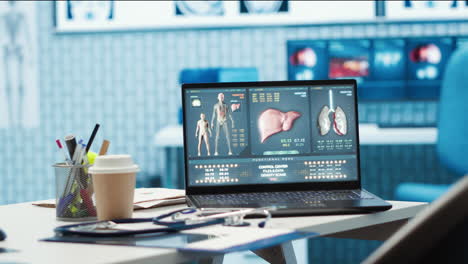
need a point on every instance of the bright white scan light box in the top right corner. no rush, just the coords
(424, 10)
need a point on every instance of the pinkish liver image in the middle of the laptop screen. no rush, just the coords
(273, 121)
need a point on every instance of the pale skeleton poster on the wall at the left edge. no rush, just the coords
(19, 90)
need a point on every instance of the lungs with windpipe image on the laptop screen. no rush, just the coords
(338, 120)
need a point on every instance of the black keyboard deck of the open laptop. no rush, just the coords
(281, 197)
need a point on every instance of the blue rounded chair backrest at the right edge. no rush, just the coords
(452, 143)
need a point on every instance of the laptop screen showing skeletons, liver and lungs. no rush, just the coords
(252, 135)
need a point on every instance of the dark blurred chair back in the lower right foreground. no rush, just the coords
(436, 235)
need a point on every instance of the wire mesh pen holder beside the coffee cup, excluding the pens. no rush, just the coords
(74, 193)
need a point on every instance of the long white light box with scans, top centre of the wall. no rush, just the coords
(83, 16)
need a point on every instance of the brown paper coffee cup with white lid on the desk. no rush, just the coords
(114, 186)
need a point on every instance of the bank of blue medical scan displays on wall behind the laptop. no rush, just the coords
(386, 69)
